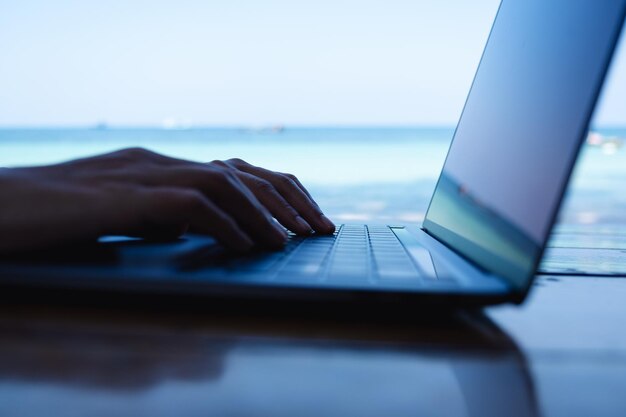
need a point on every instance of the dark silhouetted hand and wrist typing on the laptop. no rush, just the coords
(137, 192)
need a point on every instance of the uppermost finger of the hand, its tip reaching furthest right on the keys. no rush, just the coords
(292, 193)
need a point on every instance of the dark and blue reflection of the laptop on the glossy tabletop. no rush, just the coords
(71, 363)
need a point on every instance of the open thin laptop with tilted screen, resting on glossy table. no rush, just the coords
(524, 122)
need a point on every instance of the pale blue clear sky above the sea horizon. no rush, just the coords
(247, 62)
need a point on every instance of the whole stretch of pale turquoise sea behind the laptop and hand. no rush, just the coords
(356, 174)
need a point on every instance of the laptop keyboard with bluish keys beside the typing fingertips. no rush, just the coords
(353, 252)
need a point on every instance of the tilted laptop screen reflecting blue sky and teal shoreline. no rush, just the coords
(524, 120)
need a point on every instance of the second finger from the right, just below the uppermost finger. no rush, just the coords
(275, 203)
